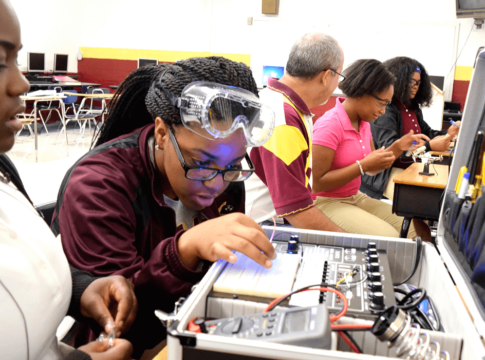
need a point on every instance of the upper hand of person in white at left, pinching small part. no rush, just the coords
(111, 301)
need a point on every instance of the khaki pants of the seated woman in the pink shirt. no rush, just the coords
(360, 214)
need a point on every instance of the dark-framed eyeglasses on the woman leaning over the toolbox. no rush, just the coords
(203, 173)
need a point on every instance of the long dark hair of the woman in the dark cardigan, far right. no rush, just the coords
(403, 68)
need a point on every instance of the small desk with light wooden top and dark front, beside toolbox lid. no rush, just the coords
(418, 196)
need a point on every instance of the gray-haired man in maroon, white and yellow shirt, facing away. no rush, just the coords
(281, 184)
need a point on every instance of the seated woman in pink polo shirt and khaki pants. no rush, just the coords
(343, 150)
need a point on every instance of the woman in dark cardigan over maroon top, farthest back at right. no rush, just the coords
(412, 90)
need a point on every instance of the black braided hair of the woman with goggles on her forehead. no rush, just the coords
(140, 99)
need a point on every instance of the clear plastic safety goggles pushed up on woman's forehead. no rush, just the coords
(215, 111)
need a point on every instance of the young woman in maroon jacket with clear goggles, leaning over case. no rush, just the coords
(147, 201)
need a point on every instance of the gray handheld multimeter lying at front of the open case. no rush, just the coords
(302, 326)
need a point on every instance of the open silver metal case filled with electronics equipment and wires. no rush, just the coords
(451, 280)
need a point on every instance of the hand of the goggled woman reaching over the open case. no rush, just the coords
(215, 239)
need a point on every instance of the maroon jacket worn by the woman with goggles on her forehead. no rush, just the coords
(112, 223)
